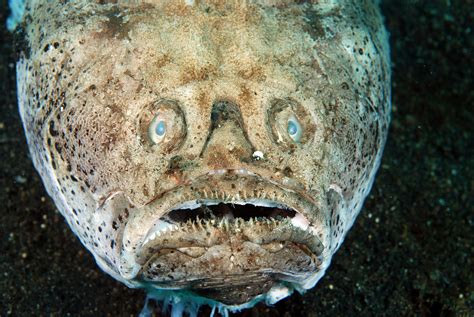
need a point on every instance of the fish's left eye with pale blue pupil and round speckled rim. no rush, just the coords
(162, 125)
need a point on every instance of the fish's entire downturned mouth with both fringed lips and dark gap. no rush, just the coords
(231, 236)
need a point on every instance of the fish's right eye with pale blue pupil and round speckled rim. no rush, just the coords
(289, 123)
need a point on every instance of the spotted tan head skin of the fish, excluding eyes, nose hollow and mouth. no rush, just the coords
(85, 83)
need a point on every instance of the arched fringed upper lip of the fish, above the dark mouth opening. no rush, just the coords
(204, 187)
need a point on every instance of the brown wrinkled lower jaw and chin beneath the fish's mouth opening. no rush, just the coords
(230, 274)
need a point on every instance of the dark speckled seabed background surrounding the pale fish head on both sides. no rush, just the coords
(411, 251)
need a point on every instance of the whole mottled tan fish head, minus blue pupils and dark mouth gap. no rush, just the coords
(92, 74)
